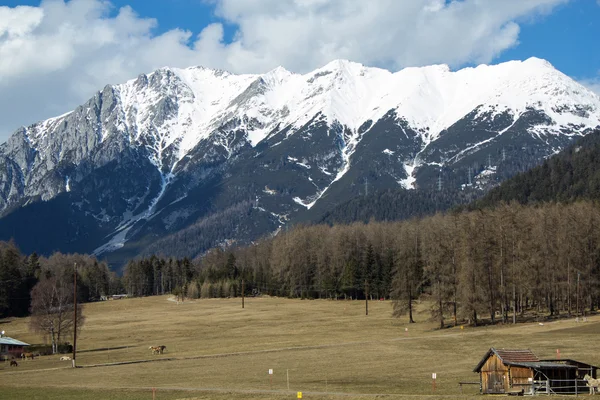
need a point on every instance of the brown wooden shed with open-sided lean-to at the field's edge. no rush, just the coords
(521, 371)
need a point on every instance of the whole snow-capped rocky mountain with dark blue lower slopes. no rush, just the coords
(181, 151)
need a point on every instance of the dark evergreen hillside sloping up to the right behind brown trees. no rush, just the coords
(570, 175)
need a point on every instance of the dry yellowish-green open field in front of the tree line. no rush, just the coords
(330, 349)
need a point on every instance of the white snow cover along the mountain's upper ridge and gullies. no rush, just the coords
(170, 111)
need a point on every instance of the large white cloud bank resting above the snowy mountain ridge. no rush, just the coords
(54, 57)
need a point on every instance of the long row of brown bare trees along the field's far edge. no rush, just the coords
(505, 263)
